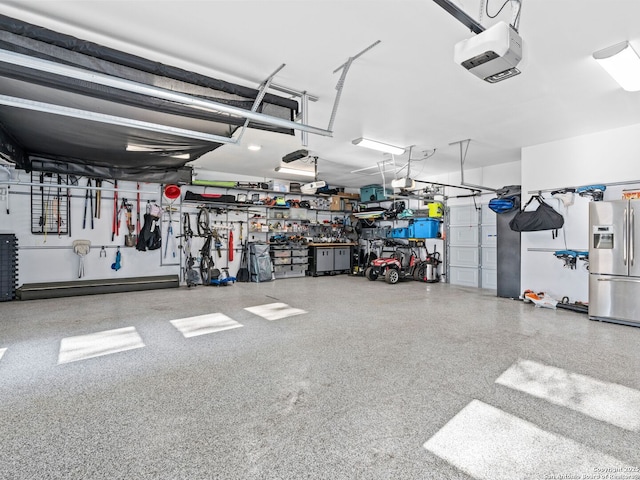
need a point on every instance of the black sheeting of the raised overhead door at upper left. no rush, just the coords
(33, 138)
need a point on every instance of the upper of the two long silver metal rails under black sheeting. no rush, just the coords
(151, 91)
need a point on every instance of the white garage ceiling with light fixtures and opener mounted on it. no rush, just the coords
(406, 91)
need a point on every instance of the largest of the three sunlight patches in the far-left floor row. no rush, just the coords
(97, 344)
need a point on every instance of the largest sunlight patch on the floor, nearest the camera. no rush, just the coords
(487, 443)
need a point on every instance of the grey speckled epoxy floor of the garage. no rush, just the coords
(374, 381)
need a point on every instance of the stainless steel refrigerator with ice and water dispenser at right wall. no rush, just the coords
(614, 261)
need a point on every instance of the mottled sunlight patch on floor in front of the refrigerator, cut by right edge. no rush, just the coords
(608, 402)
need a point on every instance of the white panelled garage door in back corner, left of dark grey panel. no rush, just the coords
(471, 244)
